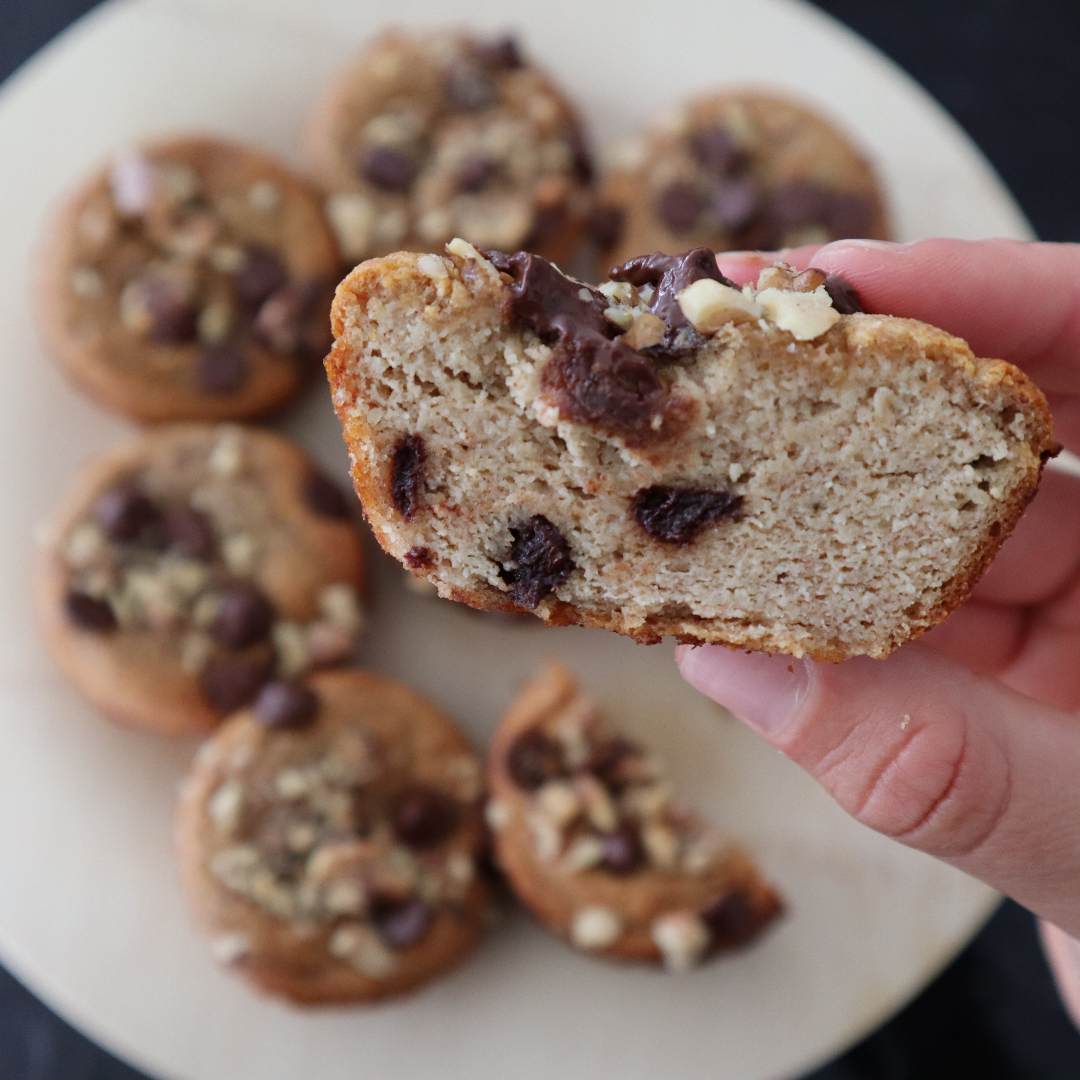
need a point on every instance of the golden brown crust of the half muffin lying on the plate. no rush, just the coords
(555, 897)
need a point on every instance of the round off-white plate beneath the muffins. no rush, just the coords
(90, 914)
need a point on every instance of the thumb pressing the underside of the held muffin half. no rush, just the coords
(922, 750)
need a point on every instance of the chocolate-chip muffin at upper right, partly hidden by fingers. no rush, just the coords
(737, 170)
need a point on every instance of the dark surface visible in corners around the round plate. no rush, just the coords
(1010, 74)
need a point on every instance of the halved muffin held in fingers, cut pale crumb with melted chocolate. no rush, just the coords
(672, 456)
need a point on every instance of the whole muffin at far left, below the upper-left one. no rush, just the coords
(190, 566)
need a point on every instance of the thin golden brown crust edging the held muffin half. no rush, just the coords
(477, 305)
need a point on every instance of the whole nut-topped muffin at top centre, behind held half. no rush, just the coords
(428, 137)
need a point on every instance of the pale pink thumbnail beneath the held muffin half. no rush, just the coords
(764, 692)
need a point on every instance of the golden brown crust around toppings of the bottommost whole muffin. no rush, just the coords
(292, 961)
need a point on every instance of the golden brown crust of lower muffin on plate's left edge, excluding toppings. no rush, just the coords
(136, 678)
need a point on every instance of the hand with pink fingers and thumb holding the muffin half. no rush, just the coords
(967, 744)
